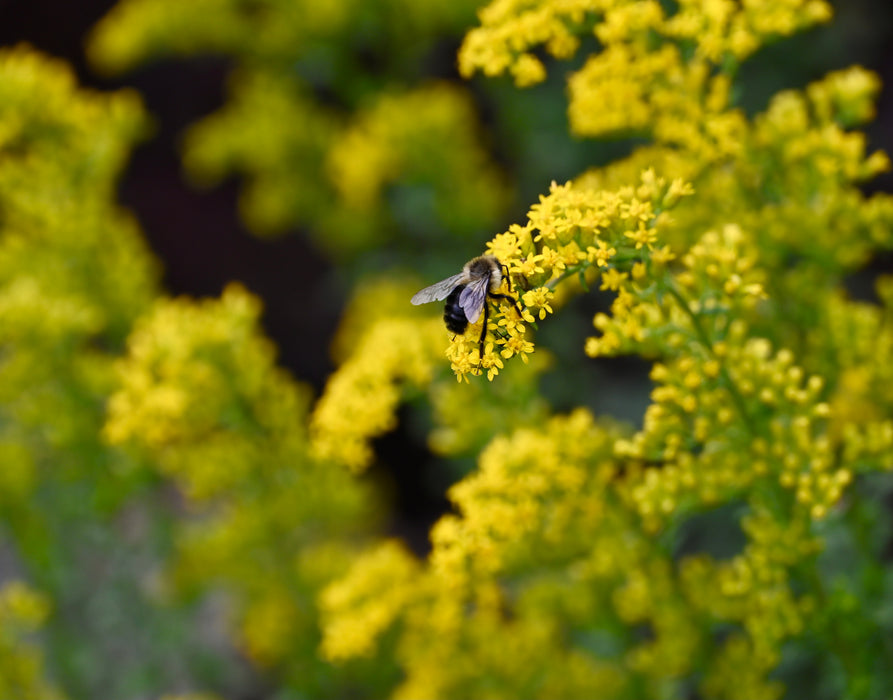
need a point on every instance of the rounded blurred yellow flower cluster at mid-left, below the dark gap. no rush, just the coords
(195, 375)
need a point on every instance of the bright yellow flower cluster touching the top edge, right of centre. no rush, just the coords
(660, 72)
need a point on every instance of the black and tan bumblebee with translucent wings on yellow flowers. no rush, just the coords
(466, 294)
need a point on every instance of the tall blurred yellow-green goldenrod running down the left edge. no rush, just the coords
(74, 274)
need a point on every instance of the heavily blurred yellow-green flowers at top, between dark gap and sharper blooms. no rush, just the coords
(332, 118)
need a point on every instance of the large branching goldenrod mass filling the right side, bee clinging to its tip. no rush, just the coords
(724, 245)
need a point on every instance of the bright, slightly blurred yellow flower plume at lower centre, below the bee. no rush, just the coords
(515, 493)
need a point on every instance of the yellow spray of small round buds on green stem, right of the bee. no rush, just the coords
(726, 411)
